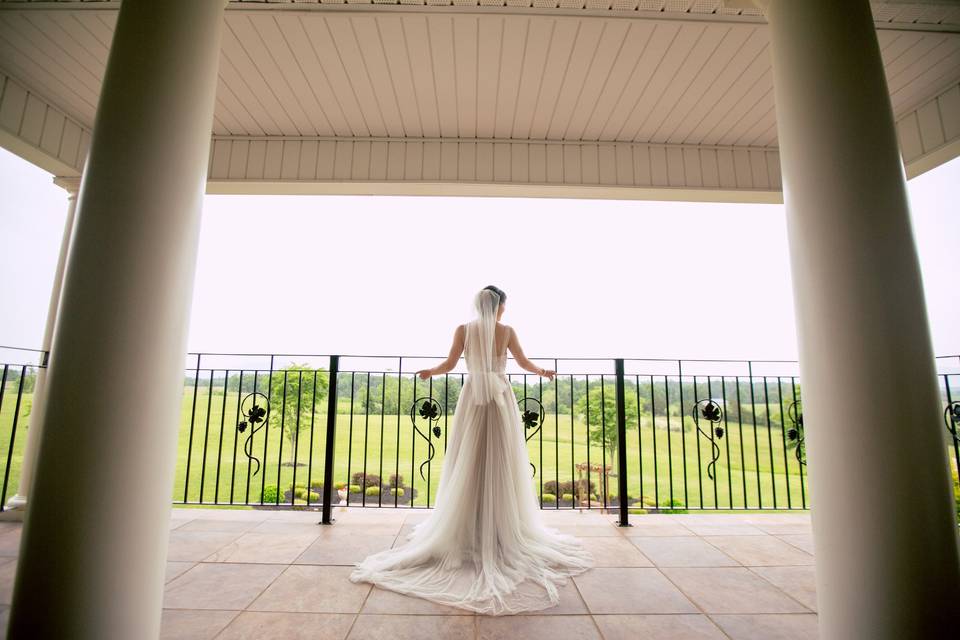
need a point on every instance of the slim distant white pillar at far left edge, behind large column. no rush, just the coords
(19, 500)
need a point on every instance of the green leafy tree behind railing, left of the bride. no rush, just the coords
(292, 397)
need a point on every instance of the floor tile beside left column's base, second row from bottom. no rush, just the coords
(219, 586)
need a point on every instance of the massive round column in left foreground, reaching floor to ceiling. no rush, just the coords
(94, 543)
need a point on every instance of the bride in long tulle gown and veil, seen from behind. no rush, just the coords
(484, 547)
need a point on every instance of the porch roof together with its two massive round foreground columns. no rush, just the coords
(663, 99)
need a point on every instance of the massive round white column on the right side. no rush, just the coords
(885, 532)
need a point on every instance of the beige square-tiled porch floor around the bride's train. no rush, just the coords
(235, 574)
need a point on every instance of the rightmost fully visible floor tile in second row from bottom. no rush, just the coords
(732, 590)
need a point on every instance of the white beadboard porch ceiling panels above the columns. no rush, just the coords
(663, 72)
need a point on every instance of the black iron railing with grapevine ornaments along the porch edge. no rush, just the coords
(356, 431)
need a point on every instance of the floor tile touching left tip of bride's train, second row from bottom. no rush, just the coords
(315, 589)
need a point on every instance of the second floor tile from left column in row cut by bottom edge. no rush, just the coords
(258, 625)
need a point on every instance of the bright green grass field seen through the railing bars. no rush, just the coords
(755, 468)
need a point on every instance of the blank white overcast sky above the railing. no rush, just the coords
(394, 275)
